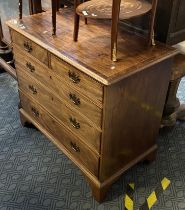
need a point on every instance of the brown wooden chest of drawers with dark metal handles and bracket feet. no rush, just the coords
(104, 116)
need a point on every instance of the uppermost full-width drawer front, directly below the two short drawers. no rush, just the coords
(43, 74)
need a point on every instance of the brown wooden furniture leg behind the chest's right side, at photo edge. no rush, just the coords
(173, 110)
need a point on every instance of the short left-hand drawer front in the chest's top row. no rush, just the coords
(30, 47)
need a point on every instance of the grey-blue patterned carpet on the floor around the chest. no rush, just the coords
(35, 175)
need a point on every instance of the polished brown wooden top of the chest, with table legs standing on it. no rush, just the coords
(91, 54)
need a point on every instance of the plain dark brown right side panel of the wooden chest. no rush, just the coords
(132, 117)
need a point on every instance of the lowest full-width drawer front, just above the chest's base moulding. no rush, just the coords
(77, 149)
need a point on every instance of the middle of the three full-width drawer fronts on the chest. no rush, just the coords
(70, 118)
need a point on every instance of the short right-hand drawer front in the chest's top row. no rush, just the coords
(77, 79)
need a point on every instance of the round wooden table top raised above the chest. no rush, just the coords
(102, 9)
